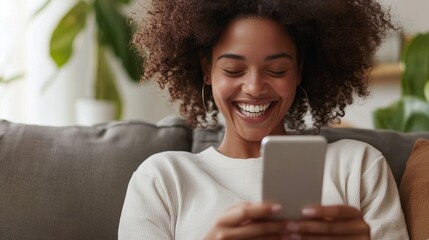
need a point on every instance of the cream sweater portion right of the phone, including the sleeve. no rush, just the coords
(357, 175)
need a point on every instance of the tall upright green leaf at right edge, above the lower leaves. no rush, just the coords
(416, 62)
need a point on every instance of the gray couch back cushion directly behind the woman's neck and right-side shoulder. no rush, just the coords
(395, 146)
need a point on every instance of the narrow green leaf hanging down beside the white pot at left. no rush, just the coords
(105, 83)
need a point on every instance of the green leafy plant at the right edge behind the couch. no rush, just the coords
(411, 112)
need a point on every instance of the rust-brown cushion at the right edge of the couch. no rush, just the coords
(414, 191)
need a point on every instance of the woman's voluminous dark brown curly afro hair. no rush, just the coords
(336, 39)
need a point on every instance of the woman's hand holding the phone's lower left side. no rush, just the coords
(245, 221)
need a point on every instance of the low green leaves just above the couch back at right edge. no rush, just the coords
(409, 114)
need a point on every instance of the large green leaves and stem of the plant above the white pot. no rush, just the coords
(113, 32)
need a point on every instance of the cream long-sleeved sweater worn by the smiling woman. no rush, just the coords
(179, 195)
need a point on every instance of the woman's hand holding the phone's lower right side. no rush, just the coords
(329, 222)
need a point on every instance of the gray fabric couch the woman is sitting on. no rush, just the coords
(70, 182)
